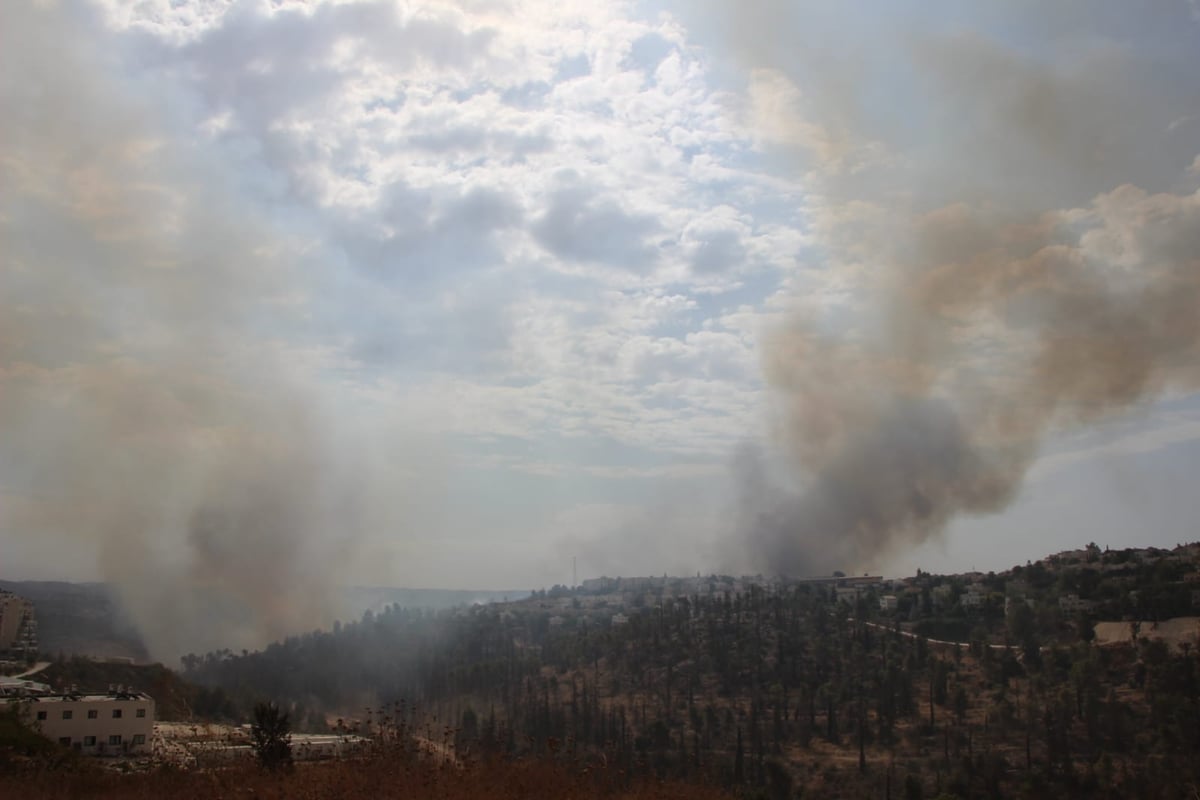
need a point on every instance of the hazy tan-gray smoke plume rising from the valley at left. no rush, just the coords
(147, 414)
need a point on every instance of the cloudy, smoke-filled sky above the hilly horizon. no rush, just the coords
(447, 294)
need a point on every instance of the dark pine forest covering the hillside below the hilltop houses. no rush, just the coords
(776, 690)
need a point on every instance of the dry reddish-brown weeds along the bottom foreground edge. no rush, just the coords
(379, 777)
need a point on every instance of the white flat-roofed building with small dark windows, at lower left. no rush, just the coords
(116, 724)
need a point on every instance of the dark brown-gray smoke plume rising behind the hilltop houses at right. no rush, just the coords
(1021, 228)
